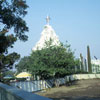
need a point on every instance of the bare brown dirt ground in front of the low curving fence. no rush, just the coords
(79, 90)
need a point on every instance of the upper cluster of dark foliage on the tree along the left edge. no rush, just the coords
(11, 16)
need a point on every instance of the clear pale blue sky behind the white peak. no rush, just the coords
(75, 21)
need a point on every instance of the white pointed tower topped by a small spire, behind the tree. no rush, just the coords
(47, 35)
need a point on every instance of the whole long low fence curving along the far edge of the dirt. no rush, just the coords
(33, 86)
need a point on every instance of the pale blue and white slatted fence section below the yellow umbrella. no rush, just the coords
(31, 86)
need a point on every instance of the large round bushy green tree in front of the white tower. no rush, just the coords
(53, 61)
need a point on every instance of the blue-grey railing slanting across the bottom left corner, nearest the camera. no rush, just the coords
(12, 93)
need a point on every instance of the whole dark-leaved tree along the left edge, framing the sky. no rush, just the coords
(11, 18)
